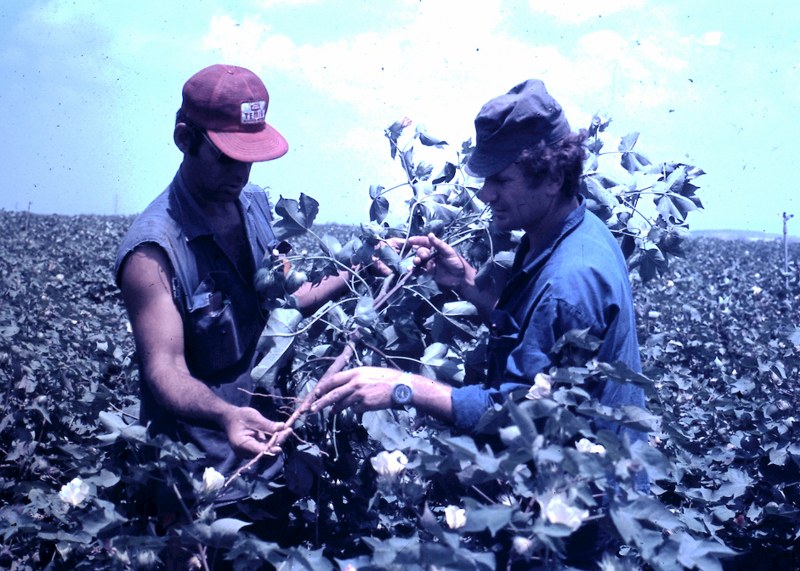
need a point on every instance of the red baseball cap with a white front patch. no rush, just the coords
(230, 103)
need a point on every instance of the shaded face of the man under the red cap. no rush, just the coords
(212, 176)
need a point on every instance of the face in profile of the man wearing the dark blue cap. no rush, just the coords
(515, 204)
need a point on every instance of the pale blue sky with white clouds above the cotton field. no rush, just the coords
(89, 90)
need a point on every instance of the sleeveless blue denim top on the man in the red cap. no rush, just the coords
(218, 304)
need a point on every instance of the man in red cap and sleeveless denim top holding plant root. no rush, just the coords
(186, 270)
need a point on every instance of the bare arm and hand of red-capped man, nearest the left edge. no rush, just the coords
(158, 332)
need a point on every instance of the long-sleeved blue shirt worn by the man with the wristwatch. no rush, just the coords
(579, 281)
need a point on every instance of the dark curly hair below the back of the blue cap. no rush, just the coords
(565, 157)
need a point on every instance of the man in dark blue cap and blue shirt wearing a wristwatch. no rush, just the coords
(568, 274)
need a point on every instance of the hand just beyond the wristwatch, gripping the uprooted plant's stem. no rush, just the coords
(361, 389)
